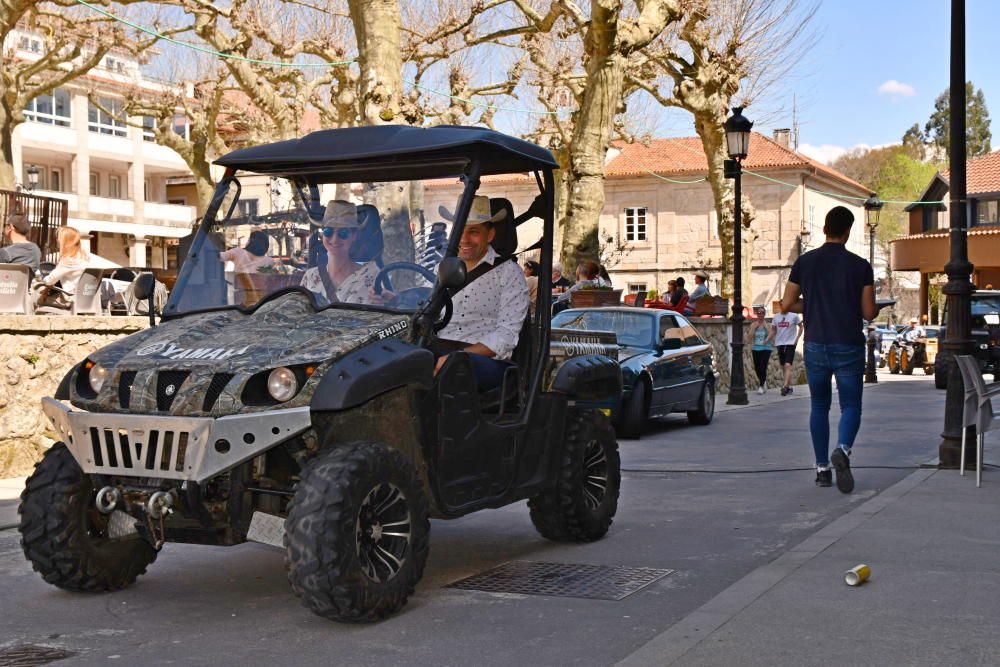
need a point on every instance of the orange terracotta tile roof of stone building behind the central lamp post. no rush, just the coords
(684, 155)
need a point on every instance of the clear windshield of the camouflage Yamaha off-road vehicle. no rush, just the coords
(272, 234)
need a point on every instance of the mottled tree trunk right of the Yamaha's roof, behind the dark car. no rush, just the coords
(591, 134)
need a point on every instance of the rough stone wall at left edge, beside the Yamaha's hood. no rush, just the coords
(37, 352)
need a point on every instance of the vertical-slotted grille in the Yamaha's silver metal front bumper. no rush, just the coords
(163, 450)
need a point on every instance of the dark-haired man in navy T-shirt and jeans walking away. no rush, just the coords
(834, 290)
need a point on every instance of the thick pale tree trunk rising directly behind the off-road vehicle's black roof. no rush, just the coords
(377, 31)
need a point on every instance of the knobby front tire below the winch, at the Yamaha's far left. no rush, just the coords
(64, 536)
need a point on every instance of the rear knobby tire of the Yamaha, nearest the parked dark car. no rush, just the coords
(582, 504)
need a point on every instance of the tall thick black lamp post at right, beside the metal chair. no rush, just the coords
(959, 288)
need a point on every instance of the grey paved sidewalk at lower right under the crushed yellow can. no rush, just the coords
(931, 541)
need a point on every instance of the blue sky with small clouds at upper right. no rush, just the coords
(898, 46)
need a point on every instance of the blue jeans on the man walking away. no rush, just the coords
(847, 364)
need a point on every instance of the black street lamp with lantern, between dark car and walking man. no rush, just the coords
(737, 144)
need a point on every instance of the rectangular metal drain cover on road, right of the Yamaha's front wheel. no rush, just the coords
(598, 582)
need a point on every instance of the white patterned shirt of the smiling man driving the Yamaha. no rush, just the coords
(491, 309)
